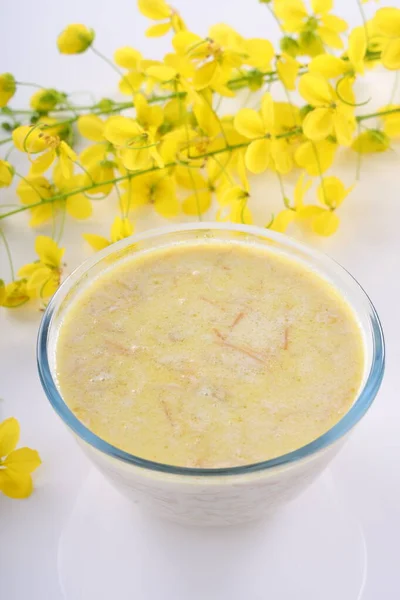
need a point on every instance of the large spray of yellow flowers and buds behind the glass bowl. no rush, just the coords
(168, 147)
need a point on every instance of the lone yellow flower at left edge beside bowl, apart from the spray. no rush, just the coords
(16, 466)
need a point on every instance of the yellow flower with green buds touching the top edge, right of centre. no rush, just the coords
(320, 26)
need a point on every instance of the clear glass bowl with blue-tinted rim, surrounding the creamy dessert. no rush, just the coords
(212, 496)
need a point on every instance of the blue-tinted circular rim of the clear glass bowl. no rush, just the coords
(364, 400)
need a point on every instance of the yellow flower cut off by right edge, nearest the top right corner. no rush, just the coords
(387, 23)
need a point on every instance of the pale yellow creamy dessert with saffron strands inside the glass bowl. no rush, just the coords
(209, 354)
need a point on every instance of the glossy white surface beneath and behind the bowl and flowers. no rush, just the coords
(48, 539)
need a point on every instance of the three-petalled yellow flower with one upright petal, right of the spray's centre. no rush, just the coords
(266, 150)
